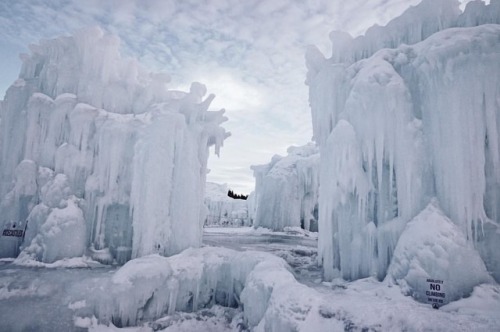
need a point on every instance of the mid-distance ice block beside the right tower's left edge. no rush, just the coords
(286, 190)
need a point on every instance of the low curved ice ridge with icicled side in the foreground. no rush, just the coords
(149, 287)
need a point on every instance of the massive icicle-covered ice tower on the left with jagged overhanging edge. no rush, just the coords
(97, 154)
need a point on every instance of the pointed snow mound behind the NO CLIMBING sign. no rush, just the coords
(433, 247)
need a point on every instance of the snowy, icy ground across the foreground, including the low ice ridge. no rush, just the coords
(69, 299)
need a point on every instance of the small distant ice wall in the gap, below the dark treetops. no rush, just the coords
(224, 210)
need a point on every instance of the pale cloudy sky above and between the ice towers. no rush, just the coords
(250, 53)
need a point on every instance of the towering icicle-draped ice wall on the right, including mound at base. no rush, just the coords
(407, 119)
